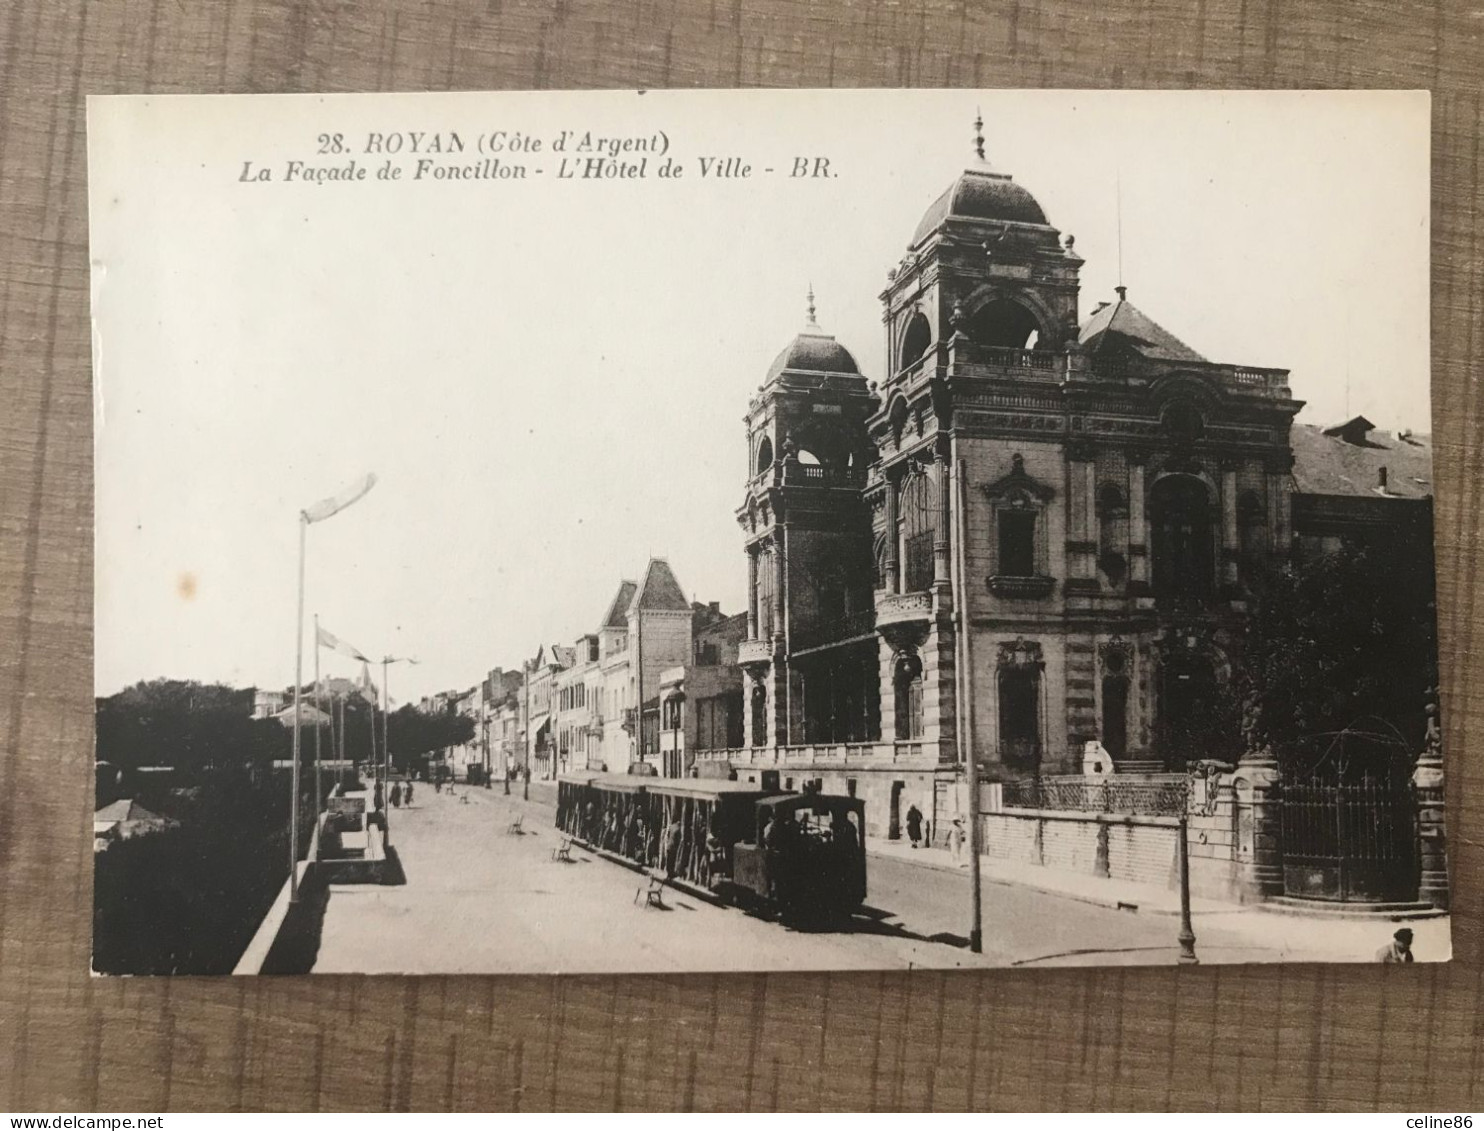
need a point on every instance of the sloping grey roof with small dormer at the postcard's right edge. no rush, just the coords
(1326, 464)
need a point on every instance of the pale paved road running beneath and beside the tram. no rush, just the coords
(479, 900)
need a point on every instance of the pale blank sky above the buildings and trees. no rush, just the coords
(550, 376)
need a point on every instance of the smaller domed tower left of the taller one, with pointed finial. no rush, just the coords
(810, 651)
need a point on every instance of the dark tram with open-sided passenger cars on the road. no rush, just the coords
(798, 854)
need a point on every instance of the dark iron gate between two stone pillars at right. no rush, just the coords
(1351, 841)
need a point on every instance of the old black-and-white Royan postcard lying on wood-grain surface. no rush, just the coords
(764, 531)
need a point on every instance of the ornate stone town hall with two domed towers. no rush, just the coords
(1034, 531)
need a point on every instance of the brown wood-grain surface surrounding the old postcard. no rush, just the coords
(1296, 1038)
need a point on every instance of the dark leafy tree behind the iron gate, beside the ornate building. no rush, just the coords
(1344, 645)
